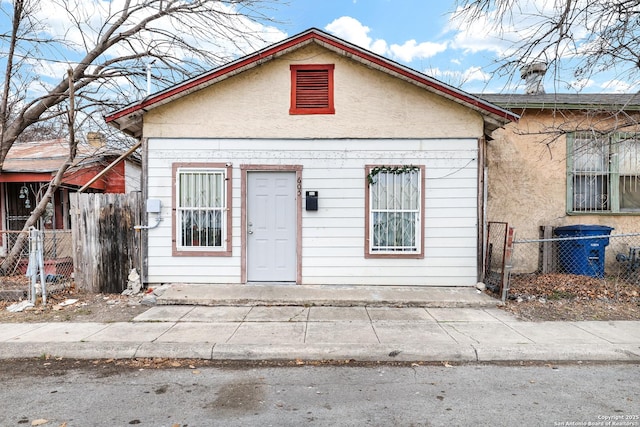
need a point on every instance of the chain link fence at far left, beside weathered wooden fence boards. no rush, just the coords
(58, 262)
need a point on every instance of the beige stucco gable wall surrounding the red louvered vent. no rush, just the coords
(368, 103)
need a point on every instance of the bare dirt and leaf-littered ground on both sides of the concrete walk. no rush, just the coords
(546, 297)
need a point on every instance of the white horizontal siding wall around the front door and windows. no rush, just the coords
(333, 237)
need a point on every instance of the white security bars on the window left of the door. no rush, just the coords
(200, 208)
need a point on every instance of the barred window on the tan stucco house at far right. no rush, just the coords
(604, 173)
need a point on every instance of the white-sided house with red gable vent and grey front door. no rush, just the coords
(313, 161)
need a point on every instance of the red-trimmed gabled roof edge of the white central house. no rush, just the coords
(129, 118)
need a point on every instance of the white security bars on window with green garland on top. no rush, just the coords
(395, 211)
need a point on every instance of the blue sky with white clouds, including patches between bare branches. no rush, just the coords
(418, 33)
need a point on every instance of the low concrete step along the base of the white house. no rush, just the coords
(324, 295)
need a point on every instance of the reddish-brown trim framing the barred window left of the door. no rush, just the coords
(174, 234)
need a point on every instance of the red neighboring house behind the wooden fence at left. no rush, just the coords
(30, 166)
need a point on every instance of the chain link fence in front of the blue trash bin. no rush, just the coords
(586, 253)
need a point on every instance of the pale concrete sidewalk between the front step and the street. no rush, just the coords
(360, 333)
